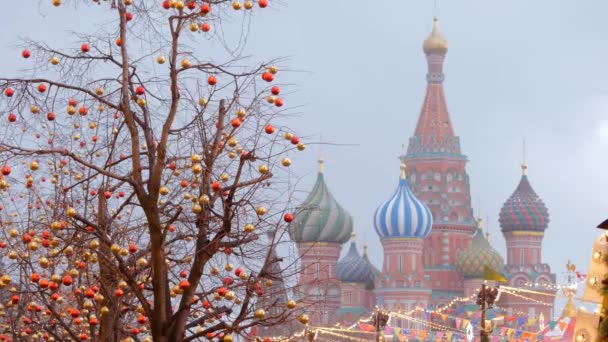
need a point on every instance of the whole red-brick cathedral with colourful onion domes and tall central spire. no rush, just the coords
(434, 248)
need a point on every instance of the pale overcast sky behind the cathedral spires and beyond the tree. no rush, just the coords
(515, 69)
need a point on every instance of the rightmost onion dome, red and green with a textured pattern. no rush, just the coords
(524, 210)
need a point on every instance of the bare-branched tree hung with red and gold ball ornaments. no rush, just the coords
(144, 186)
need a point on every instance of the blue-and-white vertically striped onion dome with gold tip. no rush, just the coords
(403, 215)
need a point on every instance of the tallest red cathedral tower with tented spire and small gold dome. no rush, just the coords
(436, 168)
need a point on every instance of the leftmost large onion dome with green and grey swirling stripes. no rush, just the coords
(321, 218)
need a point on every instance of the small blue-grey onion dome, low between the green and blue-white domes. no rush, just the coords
(354, 268)
